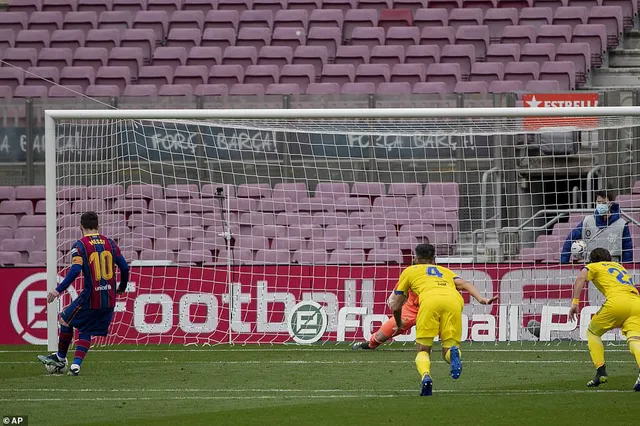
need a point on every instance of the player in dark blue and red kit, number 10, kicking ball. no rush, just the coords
(94, 255)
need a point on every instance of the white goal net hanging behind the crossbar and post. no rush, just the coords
(264, 226)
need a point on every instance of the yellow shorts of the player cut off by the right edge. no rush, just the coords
(619, 312)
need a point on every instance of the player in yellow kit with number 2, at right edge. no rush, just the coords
(620, 310)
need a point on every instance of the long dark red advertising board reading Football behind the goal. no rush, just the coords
(181, 305)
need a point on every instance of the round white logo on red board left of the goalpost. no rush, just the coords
(28, 308)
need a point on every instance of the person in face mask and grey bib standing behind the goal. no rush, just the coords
(603, 229)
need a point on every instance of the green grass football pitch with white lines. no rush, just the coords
(517, 384)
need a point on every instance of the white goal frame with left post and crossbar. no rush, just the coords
(255, 114)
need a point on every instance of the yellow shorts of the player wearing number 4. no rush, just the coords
(440, 315)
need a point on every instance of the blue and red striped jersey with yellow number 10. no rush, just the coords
(97, 255)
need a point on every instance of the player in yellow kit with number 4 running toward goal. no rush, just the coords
(440, 311)
